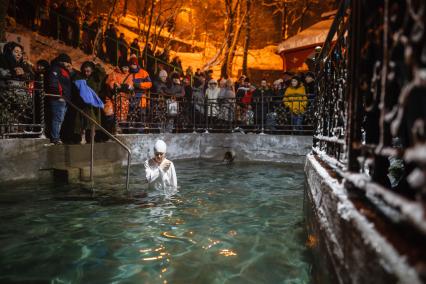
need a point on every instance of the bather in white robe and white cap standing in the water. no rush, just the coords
(160, 172)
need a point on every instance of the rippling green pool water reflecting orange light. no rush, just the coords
(229, 224)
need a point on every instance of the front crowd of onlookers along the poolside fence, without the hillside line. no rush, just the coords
(130, 94)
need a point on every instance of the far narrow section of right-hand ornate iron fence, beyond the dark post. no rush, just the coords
(330, 132)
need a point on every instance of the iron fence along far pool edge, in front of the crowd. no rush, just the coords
(162, 113)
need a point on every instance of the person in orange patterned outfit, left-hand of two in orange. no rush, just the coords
(120, 84)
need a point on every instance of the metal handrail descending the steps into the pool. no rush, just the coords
(92, 138)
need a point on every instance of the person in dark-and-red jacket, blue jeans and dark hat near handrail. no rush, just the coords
(59, 84)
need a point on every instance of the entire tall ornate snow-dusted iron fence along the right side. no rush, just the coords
(371, 109)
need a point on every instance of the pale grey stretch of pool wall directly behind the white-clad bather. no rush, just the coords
(247, 147)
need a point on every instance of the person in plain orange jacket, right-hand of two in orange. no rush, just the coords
(141, 83)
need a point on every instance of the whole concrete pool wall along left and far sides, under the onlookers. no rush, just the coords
(33, 159)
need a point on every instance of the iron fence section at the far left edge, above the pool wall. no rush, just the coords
(21, 108)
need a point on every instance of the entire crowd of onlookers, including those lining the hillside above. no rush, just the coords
(139, 90)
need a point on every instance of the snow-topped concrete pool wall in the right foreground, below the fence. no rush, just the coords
(353, 245)
